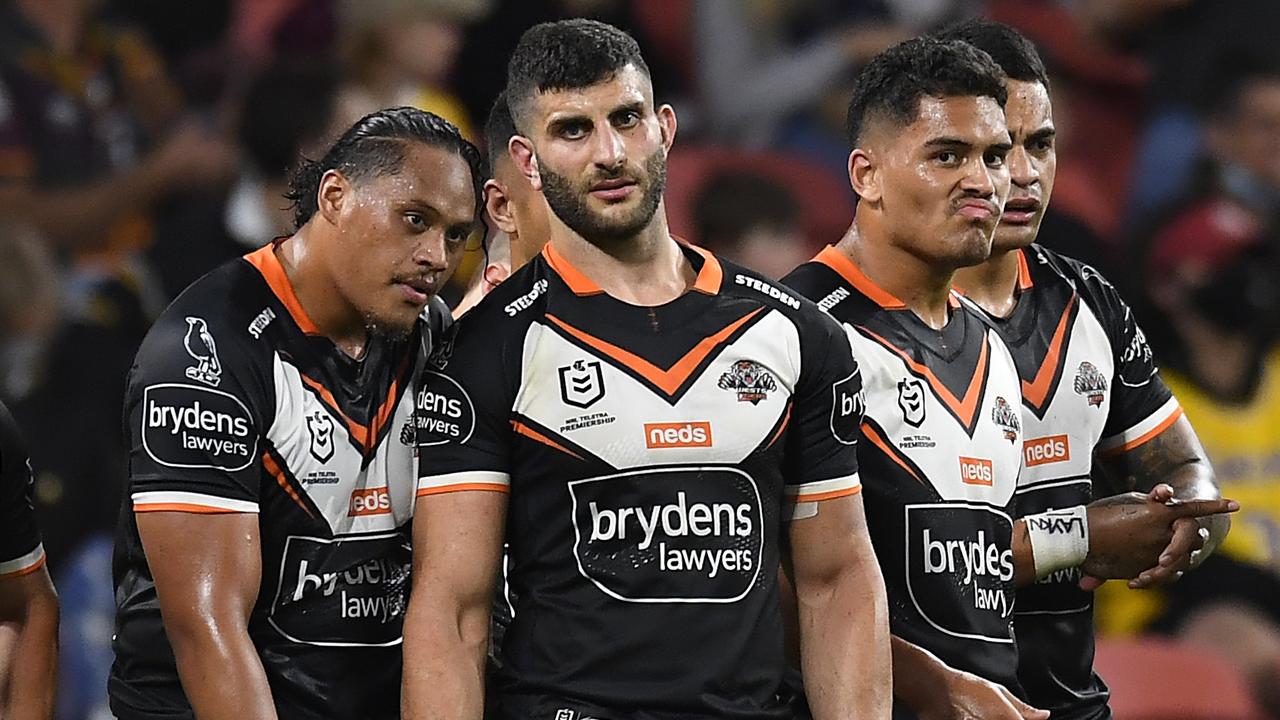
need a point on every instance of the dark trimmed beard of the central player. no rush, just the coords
(570, 203)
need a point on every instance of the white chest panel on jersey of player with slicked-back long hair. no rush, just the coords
(318, 449)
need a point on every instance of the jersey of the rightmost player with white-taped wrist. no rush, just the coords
(1090, 384)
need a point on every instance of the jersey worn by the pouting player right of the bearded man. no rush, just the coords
(940, 455)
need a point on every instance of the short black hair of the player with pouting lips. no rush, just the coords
(893, 85)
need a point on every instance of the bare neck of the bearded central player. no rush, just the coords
(647, 270)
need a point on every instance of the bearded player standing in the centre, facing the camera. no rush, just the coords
(669, 429)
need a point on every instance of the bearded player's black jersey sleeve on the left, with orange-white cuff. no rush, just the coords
(464, 412)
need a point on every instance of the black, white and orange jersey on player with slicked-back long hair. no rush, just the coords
(237, 404)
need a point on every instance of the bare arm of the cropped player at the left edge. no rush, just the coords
(35, 667)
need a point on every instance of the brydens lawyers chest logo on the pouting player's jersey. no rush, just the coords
(961, 568)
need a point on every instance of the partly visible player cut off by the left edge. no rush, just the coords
(28, 598)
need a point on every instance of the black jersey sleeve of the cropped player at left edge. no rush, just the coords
(21, 550)
